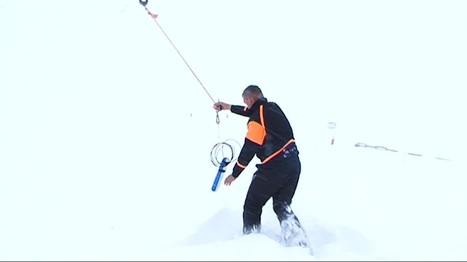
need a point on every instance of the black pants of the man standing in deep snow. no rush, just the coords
(278, 181)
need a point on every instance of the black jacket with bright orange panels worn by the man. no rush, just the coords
(270, 136)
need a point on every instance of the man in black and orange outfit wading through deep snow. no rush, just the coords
(271, 139)
